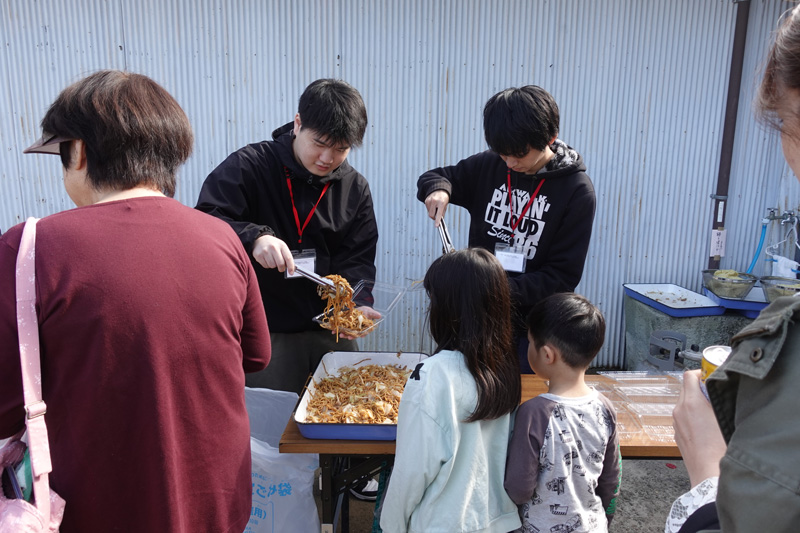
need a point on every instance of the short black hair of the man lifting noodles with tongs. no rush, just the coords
(335, 110)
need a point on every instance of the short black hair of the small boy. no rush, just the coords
(570, 323)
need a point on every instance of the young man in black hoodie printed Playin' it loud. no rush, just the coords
(528, 196)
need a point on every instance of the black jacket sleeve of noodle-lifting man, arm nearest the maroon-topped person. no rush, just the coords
(228, 193)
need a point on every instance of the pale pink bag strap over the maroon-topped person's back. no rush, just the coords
(28, 328)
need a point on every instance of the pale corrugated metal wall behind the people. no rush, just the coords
(641, 87)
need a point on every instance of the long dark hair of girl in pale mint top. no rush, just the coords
(470, 311)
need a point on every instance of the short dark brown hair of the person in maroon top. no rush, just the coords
(134, 132)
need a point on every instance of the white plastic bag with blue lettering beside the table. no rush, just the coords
(283, 498)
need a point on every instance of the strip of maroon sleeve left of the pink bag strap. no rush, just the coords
(11, 398)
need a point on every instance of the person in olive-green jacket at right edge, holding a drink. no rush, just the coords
(740, 444)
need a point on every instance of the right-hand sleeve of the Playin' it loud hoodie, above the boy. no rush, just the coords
(566, 256)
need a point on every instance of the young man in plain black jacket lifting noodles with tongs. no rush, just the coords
(297, 193)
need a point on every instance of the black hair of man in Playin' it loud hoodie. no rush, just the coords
(518, 119)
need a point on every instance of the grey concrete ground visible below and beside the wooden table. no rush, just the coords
(649, 486)
